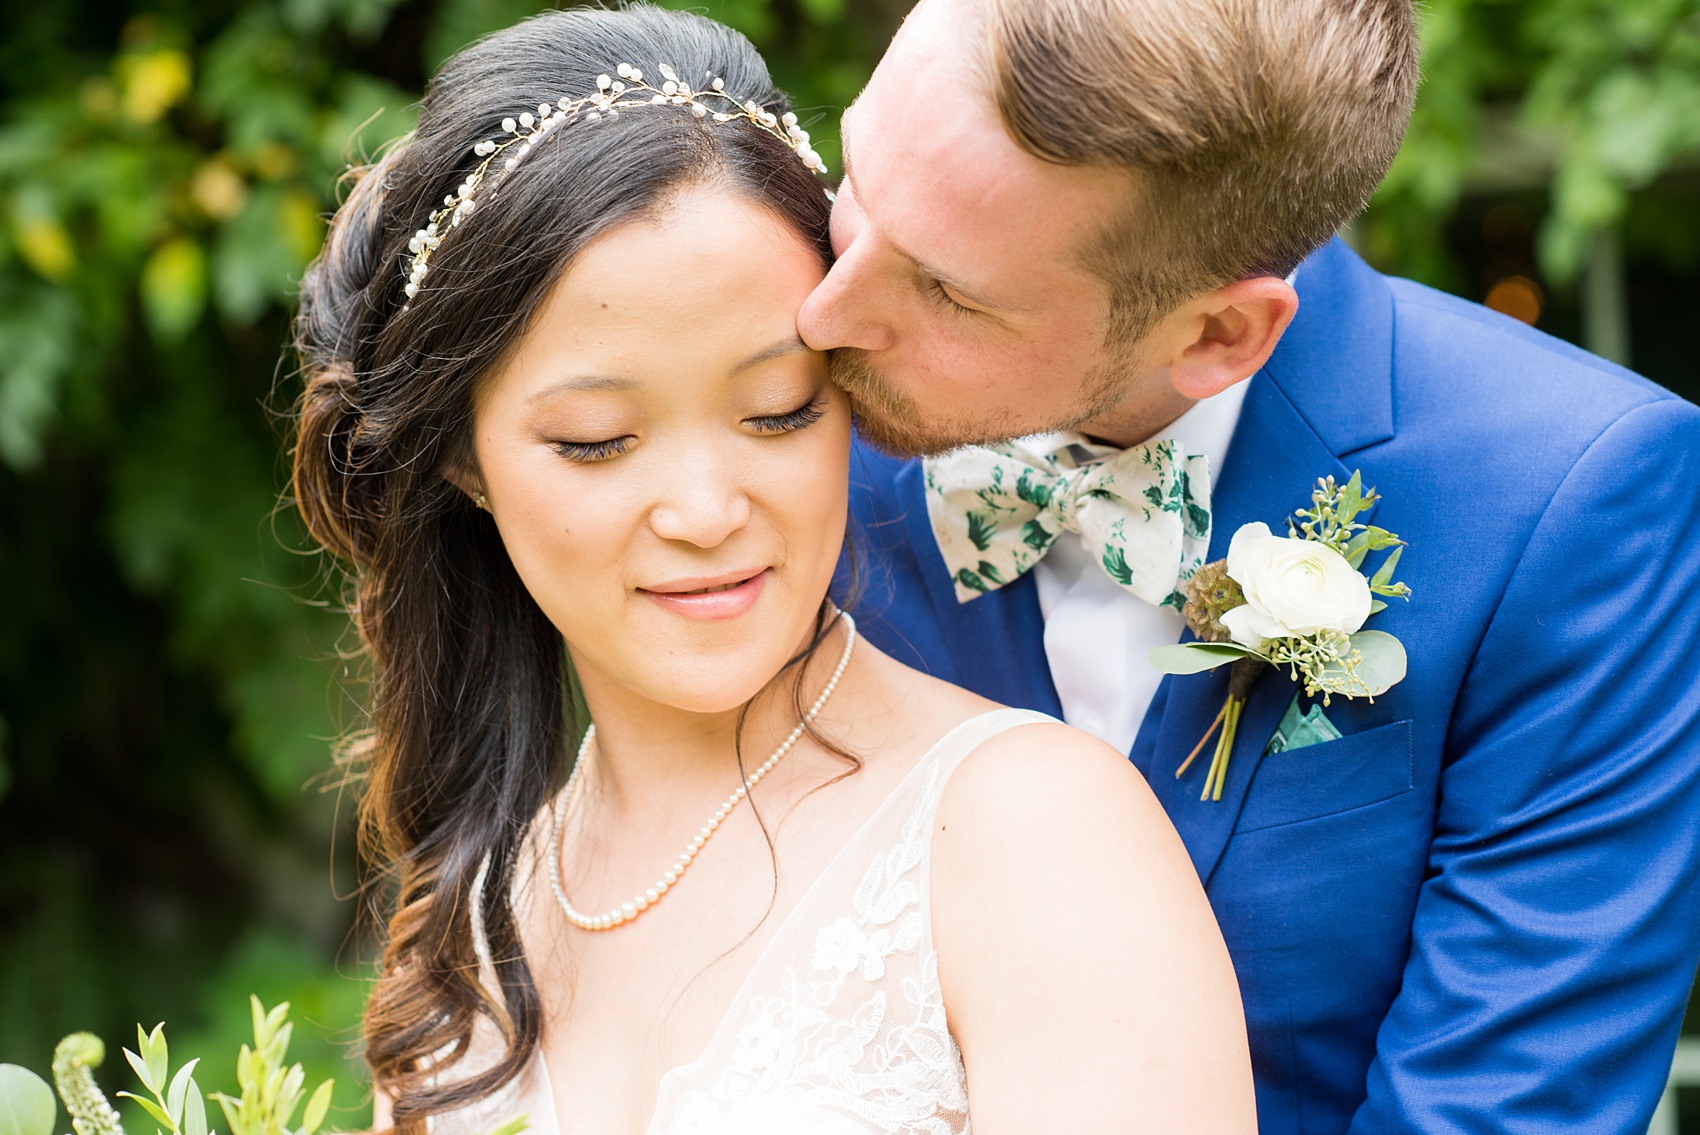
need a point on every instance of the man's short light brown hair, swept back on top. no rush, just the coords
(1254, 128)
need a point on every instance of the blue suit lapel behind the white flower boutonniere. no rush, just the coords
(1320, 395)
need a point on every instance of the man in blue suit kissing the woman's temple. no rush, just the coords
(1471, 905)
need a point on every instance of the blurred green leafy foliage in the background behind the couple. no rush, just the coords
(171, 833)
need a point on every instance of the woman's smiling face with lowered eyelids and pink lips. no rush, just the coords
(667, 461)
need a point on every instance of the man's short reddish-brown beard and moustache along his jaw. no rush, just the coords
(890, 421)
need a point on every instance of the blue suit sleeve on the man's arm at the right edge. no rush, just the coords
(1558, 929)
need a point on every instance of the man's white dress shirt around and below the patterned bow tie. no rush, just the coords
(1097, 635)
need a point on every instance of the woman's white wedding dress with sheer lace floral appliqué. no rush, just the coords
(841, 1025)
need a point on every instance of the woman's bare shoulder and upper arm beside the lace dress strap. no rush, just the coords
(1058, 874)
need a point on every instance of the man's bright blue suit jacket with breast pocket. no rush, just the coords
(1478, 912)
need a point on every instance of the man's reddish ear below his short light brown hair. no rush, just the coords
(1230, 334)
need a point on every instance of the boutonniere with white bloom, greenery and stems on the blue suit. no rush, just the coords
(1296, 602)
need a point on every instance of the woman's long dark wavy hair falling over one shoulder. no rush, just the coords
(468, 720)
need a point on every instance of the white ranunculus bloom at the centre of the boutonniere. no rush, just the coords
(1293, 589)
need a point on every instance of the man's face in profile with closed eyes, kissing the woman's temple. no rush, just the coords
(961, 308)
